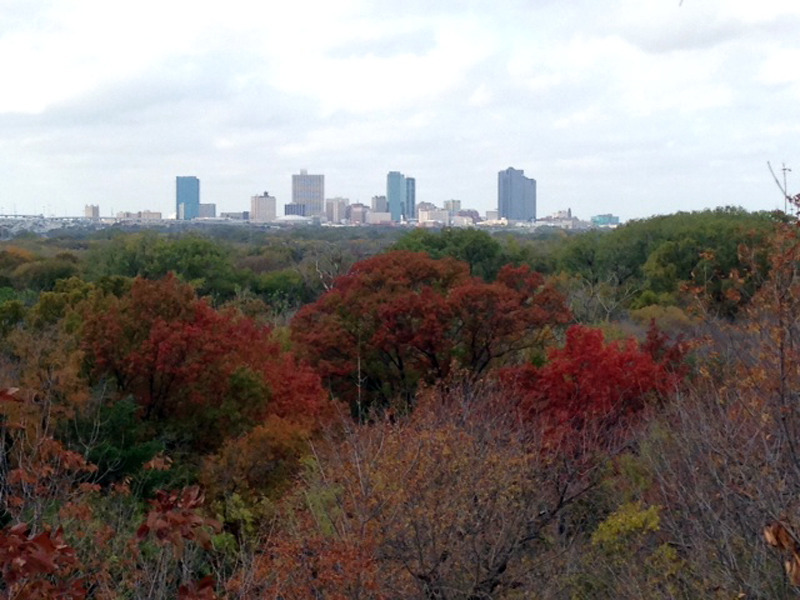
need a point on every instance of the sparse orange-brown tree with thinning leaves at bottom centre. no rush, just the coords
(456, 499)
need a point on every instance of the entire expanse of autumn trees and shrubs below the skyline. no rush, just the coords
(444, 415)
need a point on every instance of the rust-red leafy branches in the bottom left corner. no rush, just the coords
(57, 545)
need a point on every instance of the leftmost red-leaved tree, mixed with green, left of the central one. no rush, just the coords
(204, 374)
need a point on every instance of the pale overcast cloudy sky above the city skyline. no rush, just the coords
(634, 107)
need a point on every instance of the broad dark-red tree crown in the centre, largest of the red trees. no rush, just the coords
(402, 318)
